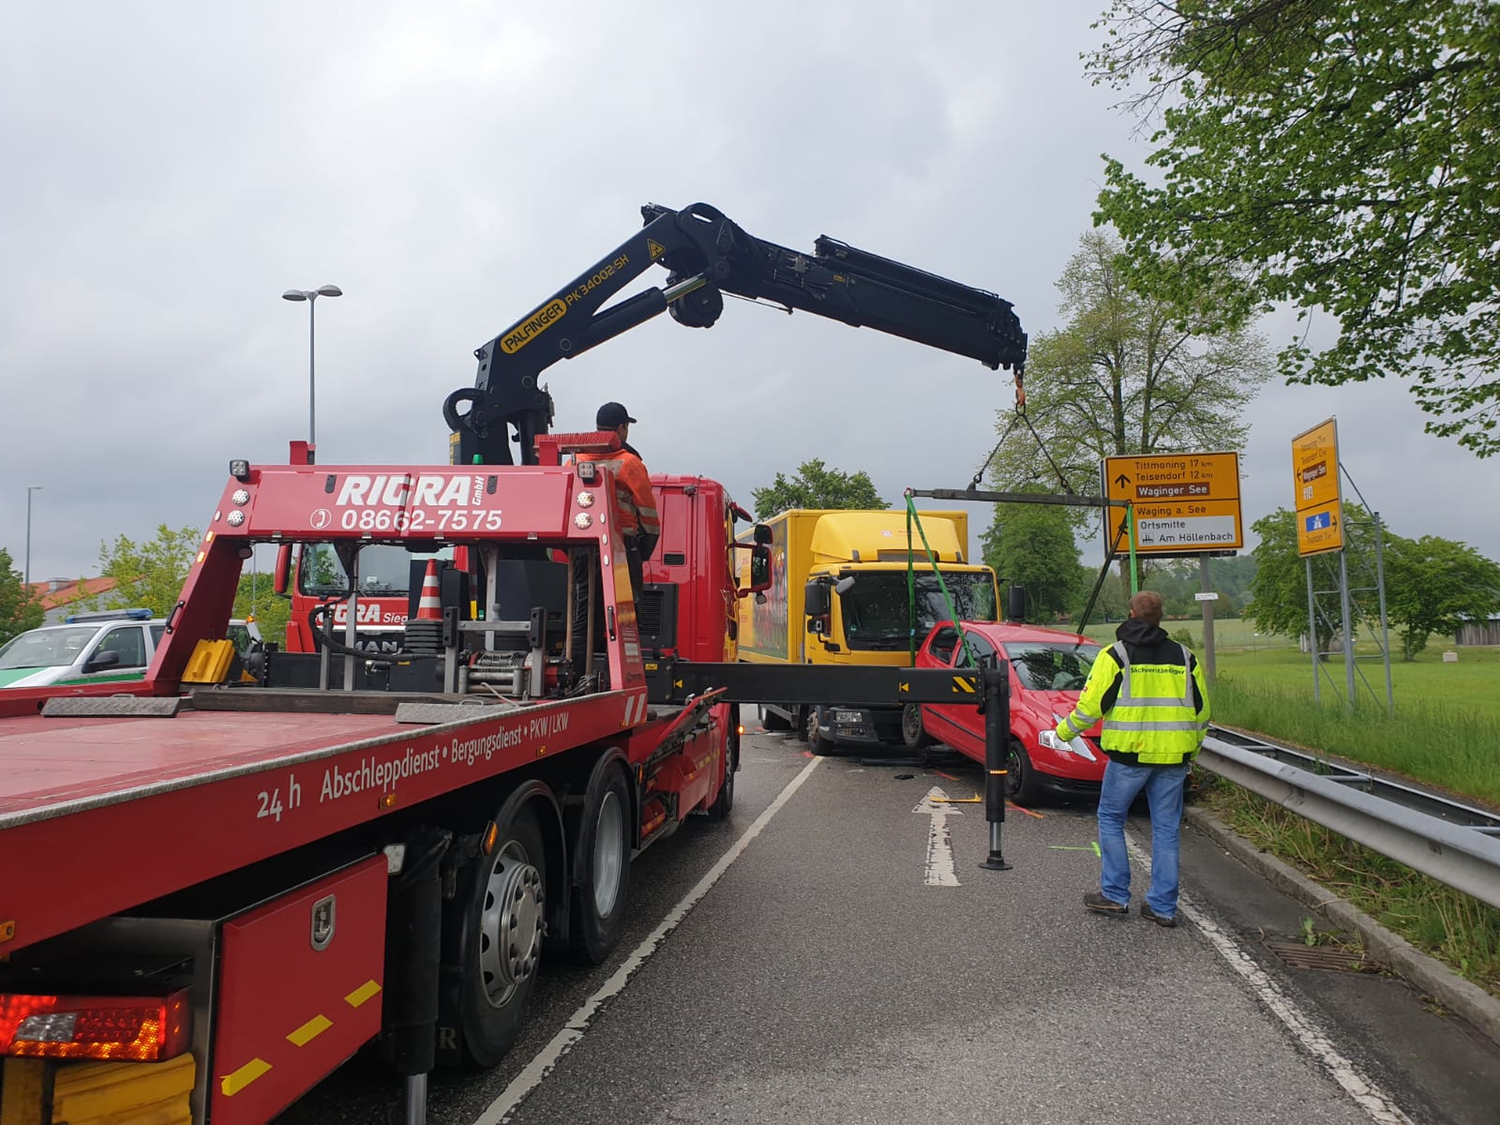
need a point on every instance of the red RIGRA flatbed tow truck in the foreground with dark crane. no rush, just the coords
(224, 883)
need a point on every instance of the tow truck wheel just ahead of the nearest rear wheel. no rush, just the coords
(604, 857)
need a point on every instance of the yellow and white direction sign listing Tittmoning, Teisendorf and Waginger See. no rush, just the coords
(1184, 503)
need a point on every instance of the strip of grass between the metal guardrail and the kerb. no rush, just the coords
(1454, 928)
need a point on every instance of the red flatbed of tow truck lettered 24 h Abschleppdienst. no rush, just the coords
(127, 809)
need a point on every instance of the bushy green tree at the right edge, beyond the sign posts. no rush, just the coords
(1433, 584)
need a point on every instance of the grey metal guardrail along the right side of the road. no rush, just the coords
(1454, 844)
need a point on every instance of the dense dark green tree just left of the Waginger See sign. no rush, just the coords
(1031, 545)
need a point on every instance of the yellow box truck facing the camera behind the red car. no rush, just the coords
(839, 596)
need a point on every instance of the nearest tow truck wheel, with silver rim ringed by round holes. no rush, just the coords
(506, 922)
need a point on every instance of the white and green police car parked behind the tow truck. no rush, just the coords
(95, 649)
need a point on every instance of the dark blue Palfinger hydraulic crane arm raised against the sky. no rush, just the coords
(707, 256)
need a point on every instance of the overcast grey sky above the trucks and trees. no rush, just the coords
(173, 167)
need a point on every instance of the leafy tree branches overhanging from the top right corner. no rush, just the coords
(1346, 154)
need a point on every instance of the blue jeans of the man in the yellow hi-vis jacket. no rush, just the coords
(1163, 785)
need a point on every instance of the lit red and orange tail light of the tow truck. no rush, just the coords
(139, 1028)
